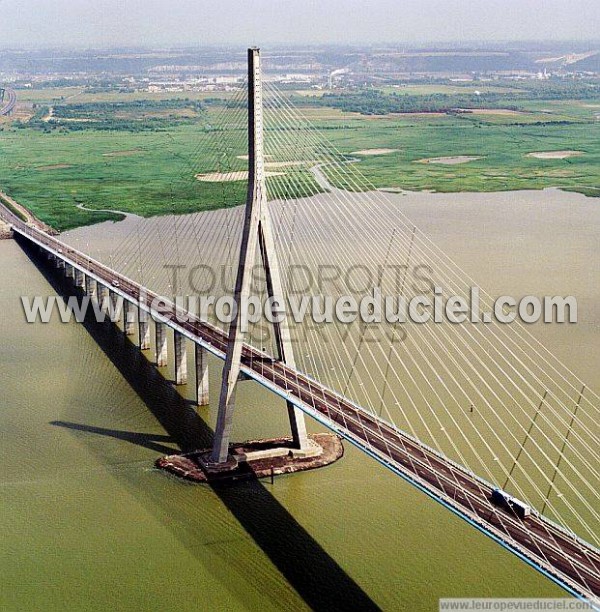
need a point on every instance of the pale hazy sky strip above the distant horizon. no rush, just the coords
(35, 23)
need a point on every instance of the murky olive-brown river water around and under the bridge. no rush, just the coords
(88, 524)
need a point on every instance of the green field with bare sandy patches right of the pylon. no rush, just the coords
(503, 163)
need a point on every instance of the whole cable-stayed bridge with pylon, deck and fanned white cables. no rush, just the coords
(456, 410)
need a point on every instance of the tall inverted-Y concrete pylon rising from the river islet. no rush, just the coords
(257, 230)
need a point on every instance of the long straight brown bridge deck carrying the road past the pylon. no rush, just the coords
(569, 561)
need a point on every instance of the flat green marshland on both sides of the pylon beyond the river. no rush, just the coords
(145, 162)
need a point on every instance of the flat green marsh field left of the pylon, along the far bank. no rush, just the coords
(144, 173)
